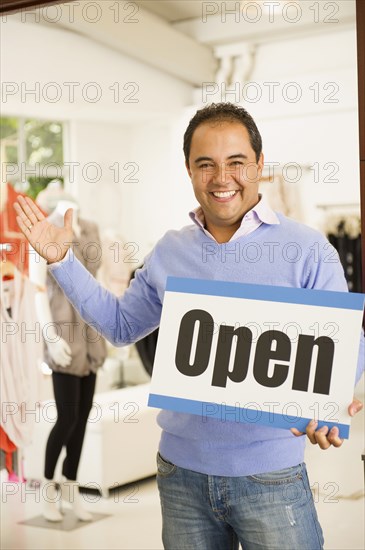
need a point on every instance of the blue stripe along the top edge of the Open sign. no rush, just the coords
(306, 296)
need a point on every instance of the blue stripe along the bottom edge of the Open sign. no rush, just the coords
(237, 414)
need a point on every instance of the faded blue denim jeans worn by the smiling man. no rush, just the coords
(272, 511)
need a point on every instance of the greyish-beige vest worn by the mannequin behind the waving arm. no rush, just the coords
(87, 345)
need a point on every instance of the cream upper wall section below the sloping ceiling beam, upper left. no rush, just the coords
(37, 55)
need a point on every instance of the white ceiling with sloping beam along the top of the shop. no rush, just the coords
(185, 38)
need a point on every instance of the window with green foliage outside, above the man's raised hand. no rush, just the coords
(32, 153)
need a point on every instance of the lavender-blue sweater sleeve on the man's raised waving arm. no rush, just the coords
(121, 320)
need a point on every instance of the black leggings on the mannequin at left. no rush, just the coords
(74, 398)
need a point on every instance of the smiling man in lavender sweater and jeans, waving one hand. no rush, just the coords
(220, 483)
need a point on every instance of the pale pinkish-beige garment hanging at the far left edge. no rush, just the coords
(21, 356)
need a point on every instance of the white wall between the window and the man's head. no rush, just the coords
(149, 153)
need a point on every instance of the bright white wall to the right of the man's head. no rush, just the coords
(314, 130)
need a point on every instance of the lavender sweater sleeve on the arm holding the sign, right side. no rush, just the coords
(324, 271)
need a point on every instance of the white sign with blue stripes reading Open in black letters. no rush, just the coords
(260, 354)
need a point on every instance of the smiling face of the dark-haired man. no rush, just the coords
(225, 175)
